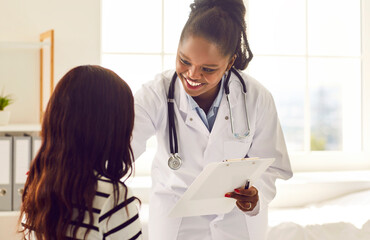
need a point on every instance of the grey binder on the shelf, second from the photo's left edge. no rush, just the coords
(21, 164)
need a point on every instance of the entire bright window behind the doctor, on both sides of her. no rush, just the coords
(309, 53)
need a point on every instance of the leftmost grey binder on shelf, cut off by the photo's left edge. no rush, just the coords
(6, 173)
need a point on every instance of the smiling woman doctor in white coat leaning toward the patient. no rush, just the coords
(192, 118)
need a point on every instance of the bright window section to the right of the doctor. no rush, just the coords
(308, 53)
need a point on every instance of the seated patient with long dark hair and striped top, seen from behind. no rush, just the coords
(74, 188)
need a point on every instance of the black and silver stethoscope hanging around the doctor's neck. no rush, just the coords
(175, 162)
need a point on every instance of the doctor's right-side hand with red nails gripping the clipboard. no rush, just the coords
(246, 199)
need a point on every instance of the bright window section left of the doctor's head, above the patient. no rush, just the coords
(139, 38)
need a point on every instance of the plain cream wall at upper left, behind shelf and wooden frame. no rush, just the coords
(77, 41)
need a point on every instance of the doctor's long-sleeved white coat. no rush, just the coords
(198, 147)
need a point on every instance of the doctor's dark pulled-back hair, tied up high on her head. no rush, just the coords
(221, 22)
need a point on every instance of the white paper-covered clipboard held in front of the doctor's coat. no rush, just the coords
(206, 195)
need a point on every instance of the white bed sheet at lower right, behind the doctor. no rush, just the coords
(343, 218)
